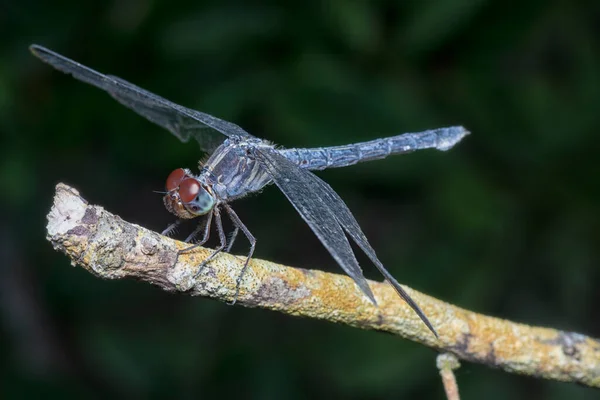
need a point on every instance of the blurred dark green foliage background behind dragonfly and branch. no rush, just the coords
(507, 223)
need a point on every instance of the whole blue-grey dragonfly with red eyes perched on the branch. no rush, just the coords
(240, 164)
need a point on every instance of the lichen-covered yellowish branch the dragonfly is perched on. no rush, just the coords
(111, 248)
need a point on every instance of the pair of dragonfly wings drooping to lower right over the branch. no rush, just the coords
(328, 216)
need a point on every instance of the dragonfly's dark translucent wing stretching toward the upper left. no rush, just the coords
(183, 122)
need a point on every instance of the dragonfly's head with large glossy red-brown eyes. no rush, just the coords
(186, 196)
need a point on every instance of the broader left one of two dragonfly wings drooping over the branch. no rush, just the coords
(298, 186)
